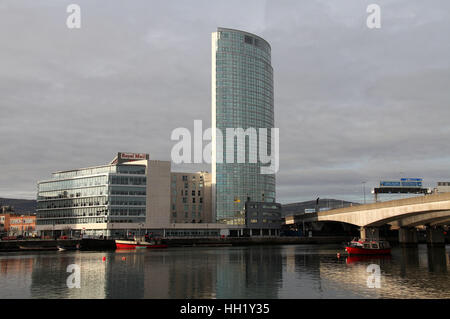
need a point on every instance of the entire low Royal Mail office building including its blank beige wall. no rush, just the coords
(131, 192)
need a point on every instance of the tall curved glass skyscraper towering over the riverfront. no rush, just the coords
(242, 97)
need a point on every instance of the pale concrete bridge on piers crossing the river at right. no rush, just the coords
(432, 211)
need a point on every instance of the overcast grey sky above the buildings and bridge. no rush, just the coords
(353, 104)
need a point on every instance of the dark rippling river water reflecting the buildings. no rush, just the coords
(253, 272)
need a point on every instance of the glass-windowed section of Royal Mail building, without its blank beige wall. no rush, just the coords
(91, 198)
